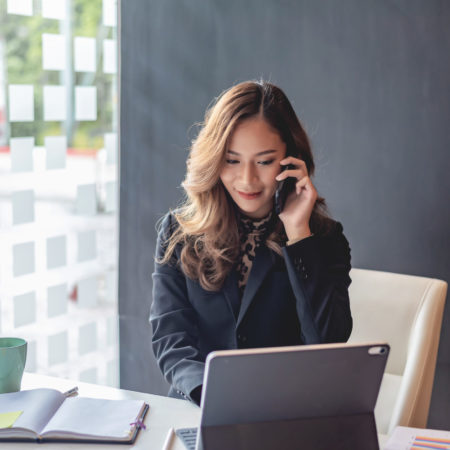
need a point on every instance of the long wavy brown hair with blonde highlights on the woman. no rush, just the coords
(207, 229)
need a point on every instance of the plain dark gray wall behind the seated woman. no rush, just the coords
(370, 81)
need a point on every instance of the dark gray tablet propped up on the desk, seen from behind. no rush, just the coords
(292, 395)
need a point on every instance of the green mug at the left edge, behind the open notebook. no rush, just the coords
(13, 354)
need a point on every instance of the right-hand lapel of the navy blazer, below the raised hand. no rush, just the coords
(264, 260)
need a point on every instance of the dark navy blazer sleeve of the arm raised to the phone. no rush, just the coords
(318, 268)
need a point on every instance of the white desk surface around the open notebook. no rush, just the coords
(164, 413)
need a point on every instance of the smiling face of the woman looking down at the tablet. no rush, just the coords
(252, 163)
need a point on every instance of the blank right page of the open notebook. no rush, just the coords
(96, 418)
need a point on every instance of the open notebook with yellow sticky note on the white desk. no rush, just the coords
(47, 415)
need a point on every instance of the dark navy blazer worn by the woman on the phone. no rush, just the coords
(300, 298)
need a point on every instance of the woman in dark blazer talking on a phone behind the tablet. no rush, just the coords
(231, 273)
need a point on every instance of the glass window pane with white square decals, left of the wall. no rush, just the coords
(59, 185)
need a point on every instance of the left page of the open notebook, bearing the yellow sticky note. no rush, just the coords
(38, 406)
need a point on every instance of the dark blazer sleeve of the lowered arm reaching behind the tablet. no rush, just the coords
(174, 323)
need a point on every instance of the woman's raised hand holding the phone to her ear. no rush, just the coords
(299, 203)
